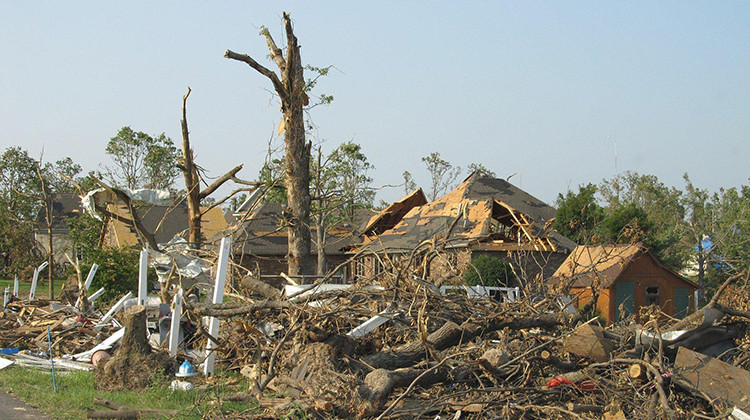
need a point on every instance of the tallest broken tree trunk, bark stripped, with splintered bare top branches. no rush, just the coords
(291, 90)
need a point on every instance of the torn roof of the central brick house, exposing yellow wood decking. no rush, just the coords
(470, 213)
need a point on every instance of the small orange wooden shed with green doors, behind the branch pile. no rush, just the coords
(628, 276)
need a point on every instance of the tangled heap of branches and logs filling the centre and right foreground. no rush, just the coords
(448, 354)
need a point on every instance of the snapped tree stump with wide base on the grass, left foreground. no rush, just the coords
(134, 365)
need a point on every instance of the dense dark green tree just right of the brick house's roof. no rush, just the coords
(578, 214)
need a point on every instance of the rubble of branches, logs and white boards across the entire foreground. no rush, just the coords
(398, 347)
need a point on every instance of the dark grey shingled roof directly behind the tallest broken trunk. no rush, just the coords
(262, 233)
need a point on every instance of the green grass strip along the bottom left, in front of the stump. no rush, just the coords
(76, 392)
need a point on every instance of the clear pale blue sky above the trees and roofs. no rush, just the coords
(547, 90)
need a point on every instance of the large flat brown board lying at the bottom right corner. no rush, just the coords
(725, 384)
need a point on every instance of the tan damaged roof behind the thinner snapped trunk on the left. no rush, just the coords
(164, 221)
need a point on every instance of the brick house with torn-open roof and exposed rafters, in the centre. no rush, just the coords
(482, 216)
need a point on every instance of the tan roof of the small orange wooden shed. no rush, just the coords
(603, 264)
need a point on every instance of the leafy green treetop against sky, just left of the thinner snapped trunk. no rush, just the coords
(141, 160)
